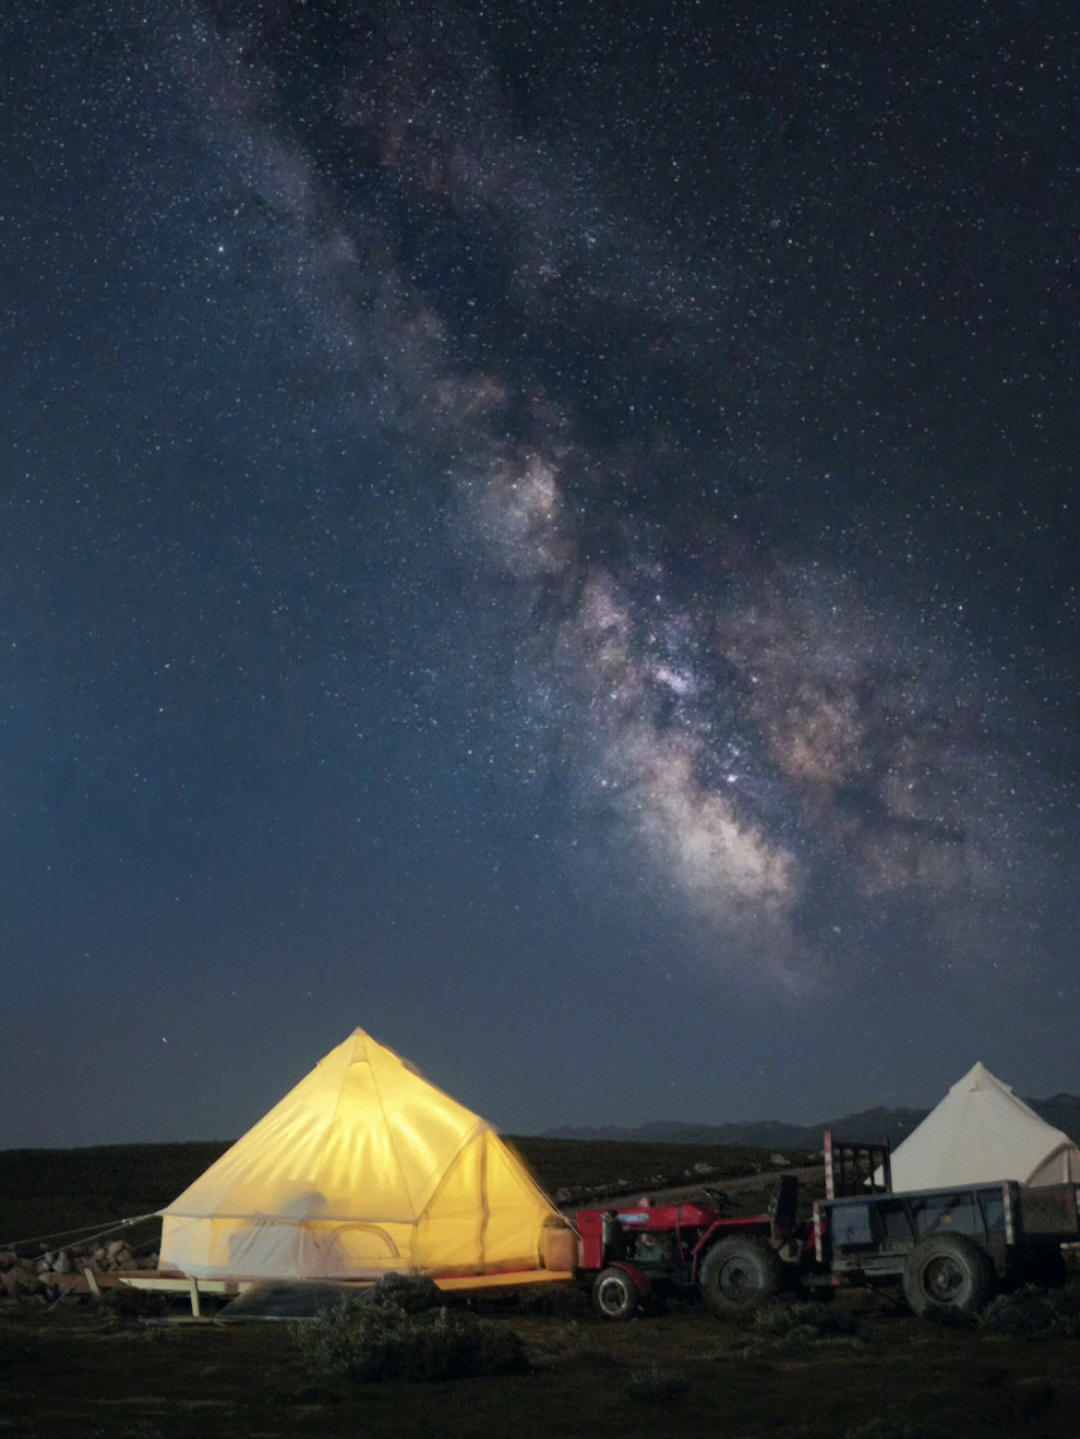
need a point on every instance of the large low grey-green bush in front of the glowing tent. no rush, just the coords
(383, 1339)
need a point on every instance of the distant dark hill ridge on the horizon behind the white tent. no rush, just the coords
(868, 1126)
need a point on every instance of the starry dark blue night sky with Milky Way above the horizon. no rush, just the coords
(544, 532)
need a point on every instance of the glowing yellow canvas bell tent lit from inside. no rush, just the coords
(362, 1171)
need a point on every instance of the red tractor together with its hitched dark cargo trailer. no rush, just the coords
(946, 1248)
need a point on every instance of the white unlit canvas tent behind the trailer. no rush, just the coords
(981, 1133)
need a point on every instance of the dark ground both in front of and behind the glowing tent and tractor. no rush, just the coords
(80, 1369)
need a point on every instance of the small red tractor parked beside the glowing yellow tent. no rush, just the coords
(645, 1250)
